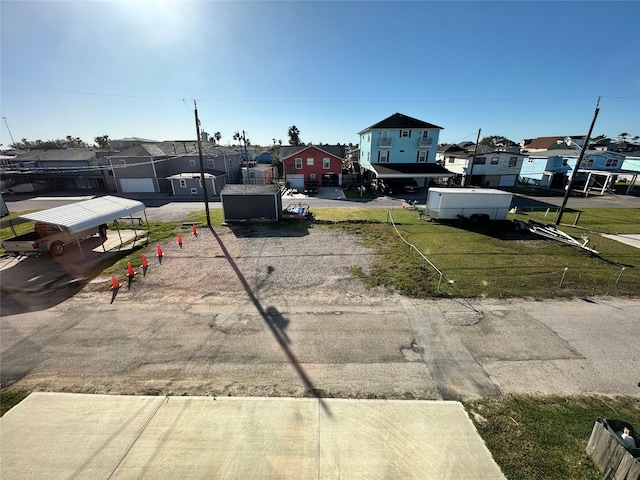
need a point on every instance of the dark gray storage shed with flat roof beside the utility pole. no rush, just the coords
(251, 203)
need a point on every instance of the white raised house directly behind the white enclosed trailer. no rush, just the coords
(482, 167)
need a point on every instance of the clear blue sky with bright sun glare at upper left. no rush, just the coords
(521, 69)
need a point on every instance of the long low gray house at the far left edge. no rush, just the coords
(74, 169)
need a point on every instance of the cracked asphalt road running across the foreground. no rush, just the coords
(284, 347)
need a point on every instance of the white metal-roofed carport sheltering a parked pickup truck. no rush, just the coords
(80, 216)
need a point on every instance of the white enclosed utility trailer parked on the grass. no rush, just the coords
(474, 204)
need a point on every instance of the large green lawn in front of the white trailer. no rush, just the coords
(494, 260)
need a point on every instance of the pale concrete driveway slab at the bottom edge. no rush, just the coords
(59, 435)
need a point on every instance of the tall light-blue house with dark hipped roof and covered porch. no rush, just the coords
(401, 147)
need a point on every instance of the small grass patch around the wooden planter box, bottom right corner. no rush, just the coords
(544, 438)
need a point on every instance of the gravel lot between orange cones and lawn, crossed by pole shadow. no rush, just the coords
(260, 260)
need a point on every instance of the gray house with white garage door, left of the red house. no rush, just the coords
(157, 167)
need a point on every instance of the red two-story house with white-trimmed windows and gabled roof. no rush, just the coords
(322, 163)
